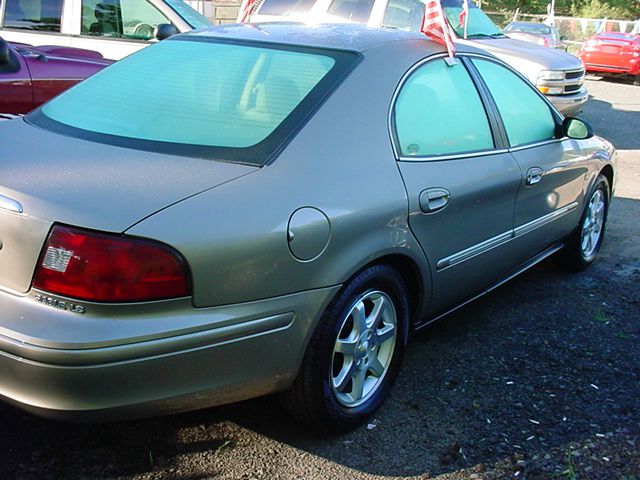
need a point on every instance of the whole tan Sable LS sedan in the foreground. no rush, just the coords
(241, 211)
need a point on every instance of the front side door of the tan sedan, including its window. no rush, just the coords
(554, 169)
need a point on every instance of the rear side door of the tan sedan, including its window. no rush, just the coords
(461, 183)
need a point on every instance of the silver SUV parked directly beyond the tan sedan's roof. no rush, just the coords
(557, 74)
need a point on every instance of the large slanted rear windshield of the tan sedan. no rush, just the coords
(236, 102)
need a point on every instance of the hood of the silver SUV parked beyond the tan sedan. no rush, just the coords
(508, 49)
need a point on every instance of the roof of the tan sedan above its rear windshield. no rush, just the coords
(344, 36)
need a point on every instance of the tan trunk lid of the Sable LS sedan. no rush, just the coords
(53, 178)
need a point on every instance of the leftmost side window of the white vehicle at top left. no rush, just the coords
(39, 15)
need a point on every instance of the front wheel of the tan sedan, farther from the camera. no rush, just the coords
(584, 243)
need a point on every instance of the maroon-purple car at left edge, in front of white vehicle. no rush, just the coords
(30, 76)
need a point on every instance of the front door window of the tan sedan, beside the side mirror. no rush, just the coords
(526, 117)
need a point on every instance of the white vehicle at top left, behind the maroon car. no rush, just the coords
(115, 28)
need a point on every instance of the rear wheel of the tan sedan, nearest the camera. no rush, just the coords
(354, 354)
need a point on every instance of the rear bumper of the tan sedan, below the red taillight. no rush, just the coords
(197, 358)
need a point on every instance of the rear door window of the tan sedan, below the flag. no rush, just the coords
(439, 112)
